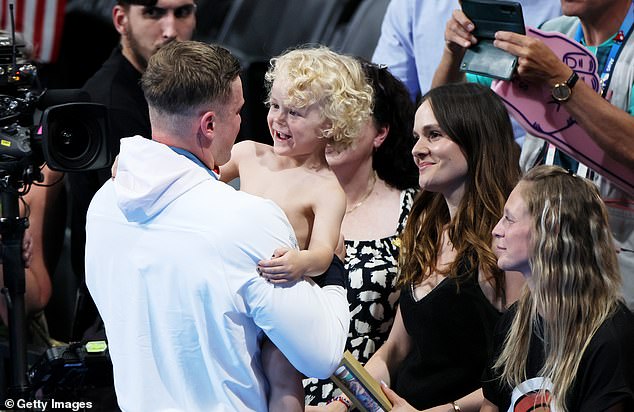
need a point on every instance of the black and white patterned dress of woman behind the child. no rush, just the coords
(372, 296)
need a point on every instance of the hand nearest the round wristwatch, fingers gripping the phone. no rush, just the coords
(536, 62)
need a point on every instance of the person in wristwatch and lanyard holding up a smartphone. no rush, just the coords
(605, 28)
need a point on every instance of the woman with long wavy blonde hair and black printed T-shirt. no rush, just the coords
(568, 343)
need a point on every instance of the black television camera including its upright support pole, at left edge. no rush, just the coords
(70, 137)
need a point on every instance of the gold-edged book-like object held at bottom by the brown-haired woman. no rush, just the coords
(361, 388)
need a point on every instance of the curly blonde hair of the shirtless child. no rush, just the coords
(334, 81)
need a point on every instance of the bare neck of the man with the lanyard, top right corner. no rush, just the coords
(600, 27)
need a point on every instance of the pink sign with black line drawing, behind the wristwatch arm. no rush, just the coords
(534, 108)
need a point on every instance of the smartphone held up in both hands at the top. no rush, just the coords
(490, 16)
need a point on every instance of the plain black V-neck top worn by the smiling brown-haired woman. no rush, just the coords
(452, 335)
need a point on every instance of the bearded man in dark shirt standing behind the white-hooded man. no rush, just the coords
(144, 26)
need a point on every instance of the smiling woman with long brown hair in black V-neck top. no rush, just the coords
(452, 292)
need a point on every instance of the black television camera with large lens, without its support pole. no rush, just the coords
(70, 137)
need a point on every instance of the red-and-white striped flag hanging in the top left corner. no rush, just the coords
(40, 22)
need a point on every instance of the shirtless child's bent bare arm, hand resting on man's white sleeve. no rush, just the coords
(290, 264)
